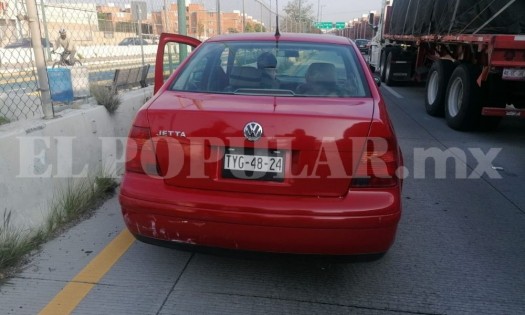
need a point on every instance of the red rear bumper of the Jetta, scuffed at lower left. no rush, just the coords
(360, 223)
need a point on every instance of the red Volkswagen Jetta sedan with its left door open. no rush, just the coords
(265, 142)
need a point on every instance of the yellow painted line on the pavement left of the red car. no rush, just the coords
(77, 289)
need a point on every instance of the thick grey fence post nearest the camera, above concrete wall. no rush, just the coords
(34, 27)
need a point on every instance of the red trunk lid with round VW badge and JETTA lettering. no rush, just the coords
(308, 147)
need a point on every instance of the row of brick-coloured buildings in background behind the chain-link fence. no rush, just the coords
(106, 24)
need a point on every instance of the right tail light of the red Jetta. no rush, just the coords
(378, 165)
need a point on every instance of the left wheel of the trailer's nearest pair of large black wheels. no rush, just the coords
(436, 87)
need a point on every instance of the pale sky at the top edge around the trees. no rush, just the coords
(332, 10)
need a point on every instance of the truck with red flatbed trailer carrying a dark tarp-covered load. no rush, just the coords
(469, 53)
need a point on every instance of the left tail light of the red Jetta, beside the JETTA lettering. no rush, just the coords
(140, 152)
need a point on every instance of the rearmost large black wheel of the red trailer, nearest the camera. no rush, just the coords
(462, 110)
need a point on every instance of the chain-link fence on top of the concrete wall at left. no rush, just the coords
(104, 37)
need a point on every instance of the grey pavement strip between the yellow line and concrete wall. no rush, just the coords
(59, 260)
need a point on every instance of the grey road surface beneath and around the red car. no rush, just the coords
(460, 246)
